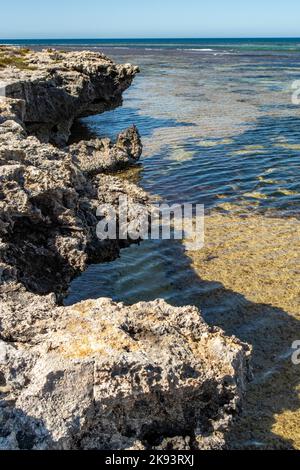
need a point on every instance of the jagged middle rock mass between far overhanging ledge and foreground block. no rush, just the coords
(49, 198)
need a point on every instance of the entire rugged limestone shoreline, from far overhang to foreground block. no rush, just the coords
(97, 375)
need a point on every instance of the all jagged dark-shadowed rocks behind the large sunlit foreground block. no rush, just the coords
(49, 195)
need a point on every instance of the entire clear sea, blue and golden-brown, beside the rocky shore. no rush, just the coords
(219, 129)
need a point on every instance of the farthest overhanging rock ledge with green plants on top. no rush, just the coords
(62, 86)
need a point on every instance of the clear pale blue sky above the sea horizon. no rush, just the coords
(149, 18)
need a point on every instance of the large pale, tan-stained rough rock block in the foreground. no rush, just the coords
(100, 375)
